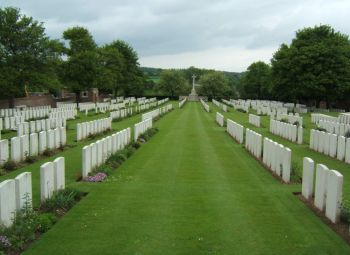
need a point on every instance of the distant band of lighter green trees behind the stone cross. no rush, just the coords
(211, 83)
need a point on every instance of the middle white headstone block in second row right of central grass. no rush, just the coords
(287, 131)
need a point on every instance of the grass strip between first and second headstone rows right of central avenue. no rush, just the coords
(298, 151)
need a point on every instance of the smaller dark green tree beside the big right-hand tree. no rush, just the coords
(256, 81)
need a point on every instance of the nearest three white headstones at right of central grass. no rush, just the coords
(327, 189)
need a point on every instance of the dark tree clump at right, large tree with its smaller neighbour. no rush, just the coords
(314, 67)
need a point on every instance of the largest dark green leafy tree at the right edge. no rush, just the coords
(315, 66)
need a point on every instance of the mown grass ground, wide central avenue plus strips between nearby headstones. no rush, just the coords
(190, 190)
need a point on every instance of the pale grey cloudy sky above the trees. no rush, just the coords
(222, 34)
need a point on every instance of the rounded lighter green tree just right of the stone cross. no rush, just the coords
(214, 85)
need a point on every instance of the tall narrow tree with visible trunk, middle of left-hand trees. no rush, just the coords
(80, 71)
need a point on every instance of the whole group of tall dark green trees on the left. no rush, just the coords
(31, 61)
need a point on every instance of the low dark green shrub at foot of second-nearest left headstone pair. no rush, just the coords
(61, 201)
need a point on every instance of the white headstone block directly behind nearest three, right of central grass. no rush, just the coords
(278, 158)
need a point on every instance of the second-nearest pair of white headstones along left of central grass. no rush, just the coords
(52, 178)
